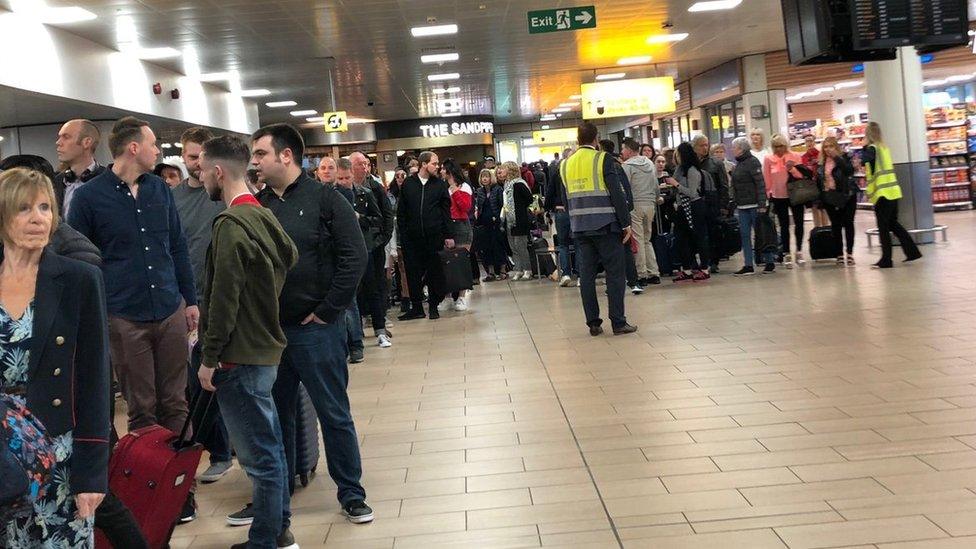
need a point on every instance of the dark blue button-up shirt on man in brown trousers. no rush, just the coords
(144, 253)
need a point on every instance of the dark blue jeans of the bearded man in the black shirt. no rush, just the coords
(316, 356)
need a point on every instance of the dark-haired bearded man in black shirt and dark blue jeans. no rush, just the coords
(317, 292)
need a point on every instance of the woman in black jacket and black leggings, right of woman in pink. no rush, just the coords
(837, 178)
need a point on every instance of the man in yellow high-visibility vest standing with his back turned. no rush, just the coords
(600, 220)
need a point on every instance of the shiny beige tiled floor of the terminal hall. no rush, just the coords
(820, 407)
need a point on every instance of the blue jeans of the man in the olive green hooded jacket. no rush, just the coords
(244, 395)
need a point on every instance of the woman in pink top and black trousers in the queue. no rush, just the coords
(777, 169)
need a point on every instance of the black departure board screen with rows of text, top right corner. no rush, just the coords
(894, 23)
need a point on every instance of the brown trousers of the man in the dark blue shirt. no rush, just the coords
(150, 363)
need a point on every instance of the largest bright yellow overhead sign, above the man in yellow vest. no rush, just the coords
(635, 97)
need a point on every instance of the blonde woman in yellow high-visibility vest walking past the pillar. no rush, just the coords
(883, 191)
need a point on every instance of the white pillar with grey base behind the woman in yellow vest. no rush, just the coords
(895, 102)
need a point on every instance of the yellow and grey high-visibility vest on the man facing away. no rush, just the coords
(588, 201)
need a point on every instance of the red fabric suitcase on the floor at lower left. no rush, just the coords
(152, 471)
